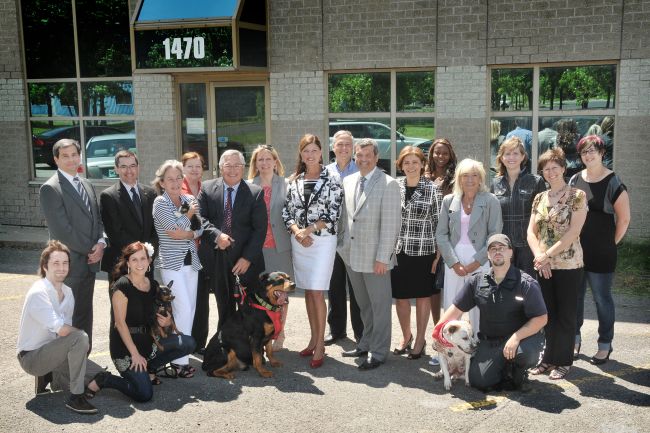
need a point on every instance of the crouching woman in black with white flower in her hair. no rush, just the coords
(133, 350)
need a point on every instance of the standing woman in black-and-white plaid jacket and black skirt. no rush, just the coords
(413, 277)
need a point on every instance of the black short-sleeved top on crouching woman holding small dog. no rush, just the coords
(140, 314)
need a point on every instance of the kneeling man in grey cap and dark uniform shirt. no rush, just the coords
(513, 314)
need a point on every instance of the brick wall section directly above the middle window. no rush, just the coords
(378, 33)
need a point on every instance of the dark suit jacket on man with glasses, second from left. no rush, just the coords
(121, 222)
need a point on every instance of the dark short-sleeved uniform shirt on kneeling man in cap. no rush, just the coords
(504, 307)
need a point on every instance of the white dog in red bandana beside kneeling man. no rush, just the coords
(454, 361)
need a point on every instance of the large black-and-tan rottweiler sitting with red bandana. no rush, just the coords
(247, 334)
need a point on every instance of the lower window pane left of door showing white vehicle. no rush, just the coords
(103, 140)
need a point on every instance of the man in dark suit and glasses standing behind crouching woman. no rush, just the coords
(126, 209)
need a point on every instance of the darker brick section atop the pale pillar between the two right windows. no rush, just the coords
(461, 32)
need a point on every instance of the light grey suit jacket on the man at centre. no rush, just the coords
(369, 229)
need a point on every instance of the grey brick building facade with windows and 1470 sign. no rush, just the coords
(143, 75)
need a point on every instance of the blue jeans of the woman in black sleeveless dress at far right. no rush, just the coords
(601, 289)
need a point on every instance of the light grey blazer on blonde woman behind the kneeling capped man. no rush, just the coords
(484, 221)
